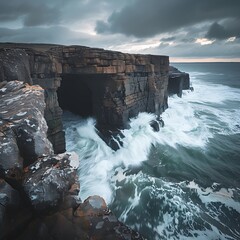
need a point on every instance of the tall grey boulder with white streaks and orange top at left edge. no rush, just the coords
(21, 125)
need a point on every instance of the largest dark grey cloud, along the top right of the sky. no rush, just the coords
(147, 18)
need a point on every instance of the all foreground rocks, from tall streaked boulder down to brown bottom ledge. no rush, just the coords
(38, 189)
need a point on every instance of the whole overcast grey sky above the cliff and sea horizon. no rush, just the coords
(185, 30)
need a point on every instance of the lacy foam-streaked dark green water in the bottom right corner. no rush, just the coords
(175, 209)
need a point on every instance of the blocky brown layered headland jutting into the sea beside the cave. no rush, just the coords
(120, 85)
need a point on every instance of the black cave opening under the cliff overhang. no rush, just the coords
(74, 95)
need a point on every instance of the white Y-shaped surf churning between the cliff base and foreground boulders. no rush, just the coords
(97, 160)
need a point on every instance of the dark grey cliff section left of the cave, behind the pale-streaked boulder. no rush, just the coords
(37, 67)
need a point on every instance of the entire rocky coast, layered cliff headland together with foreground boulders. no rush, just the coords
(39, 188)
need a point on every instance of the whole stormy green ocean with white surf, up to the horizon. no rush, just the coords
(182, 182)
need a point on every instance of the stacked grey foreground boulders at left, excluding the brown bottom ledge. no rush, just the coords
(27, 160)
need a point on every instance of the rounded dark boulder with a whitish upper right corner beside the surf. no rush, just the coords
(52, 182)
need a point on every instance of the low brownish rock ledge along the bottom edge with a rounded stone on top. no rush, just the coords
(91, 220)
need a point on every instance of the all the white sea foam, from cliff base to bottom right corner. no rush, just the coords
(190, 122)
